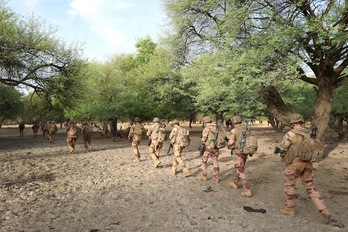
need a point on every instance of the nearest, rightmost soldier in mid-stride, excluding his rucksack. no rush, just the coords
(296, 168)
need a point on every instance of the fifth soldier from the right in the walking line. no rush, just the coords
(156, 133)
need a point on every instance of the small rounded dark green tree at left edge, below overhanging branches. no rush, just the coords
(11, 105)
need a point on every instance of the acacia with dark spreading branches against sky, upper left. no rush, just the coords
(31, 57)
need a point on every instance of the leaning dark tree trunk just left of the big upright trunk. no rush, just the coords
(276, 106)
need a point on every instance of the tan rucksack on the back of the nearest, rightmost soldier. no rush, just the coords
(310, 148)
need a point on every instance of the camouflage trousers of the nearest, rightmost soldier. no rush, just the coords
(304, 170)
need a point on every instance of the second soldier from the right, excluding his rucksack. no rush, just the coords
(234, 141)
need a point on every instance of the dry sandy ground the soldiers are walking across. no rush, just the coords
(43, 188)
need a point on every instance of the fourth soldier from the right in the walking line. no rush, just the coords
(177, 160)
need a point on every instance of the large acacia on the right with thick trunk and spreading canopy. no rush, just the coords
(311, 35)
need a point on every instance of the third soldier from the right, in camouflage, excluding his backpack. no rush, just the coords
(210, 152)
